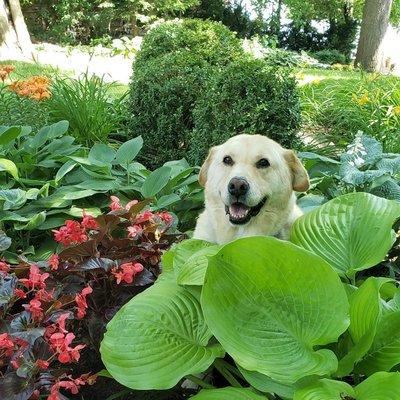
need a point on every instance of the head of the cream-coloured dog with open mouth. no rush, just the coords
(249, 173)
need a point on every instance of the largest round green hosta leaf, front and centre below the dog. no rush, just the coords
(269, 303)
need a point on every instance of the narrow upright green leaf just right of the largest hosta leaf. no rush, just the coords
(366, 309)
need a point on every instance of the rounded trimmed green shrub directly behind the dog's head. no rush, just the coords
(250, 97)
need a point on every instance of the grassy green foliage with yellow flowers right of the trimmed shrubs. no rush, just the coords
(337, 104)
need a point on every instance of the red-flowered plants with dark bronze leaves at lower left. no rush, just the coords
(53, 313)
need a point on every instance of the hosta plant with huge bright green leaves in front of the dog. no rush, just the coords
(278, 320)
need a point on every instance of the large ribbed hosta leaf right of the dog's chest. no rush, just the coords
(352, 232)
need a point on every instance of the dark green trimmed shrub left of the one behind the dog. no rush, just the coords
(162, 100)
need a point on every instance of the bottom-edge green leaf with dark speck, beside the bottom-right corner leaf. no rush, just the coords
(326, 389)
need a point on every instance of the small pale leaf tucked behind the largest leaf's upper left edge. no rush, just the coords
(193, 271)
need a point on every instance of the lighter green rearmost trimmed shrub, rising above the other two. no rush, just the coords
(211, 41)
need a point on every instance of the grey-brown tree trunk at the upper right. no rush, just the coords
(374, 24)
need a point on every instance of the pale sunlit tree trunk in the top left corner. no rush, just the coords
(14, 35)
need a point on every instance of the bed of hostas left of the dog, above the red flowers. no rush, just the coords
(46, 178)
